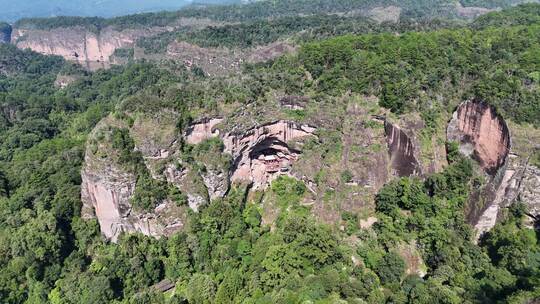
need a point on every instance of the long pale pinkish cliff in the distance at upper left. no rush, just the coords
(79, 44)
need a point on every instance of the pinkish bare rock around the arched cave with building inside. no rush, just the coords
(262, 153)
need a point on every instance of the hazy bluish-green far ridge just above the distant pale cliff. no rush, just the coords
(261, 10)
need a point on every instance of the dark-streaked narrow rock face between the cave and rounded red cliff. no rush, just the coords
(401, 150)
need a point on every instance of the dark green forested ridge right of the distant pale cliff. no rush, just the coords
(262, 32)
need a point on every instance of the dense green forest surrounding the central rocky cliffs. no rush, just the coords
(225, 254)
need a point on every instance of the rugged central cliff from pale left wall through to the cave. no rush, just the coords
(254, 156)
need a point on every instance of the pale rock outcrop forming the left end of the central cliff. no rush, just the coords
(107, 189)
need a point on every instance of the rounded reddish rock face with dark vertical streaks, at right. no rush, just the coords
(481, 134)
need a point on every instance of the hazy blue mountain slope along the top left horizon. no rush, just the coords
(11, 11)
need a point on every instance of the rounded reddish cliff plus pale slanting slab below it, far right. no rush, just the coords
(484, 135)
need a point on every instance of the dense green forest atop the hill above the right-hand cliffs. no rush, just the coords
(409, 70)
